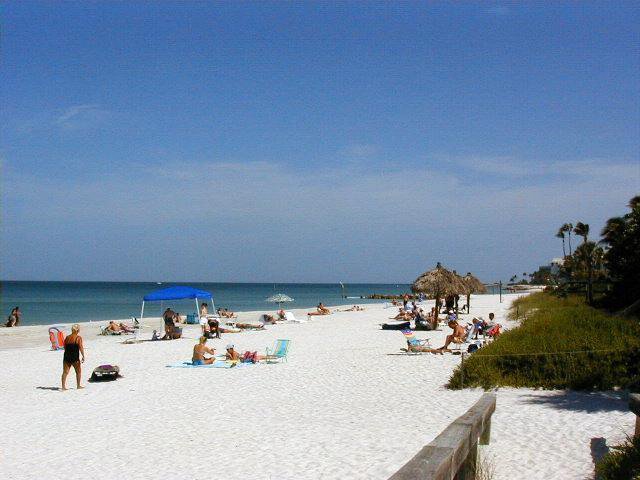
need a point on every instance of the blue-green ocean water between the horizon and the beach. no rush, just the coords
(47, 303)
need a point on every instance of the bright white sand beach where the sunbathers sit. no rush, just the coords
(347, 404)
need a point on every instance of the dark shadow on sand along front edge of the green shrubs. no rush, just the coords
(589, 402)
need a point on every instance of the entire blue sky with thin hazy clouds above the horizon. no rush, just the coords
(310, 141)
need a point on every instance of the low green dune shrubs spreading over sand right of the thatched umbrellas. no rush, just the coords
(561, 343)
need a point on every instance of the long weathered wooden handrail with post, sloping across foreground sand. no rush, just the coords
(453, 453)
